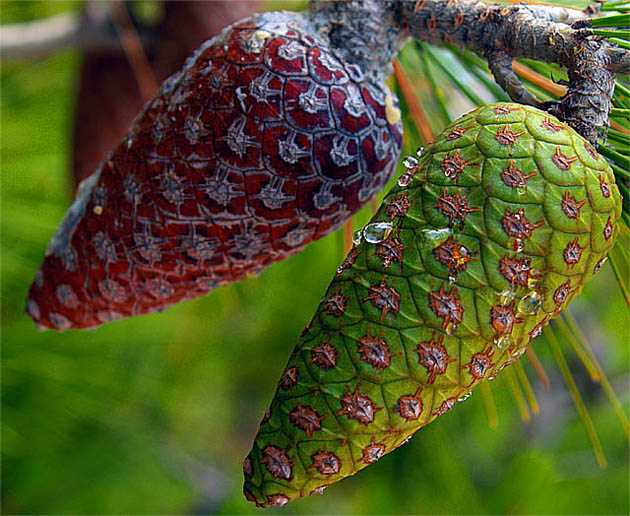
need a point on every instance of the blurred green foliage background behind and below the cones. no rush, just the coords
(153, 415)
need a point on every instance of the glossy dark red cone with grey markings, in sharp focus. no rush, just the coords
(264, 142)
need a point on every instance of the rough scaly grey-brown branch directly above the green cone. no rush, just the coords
(544, 33)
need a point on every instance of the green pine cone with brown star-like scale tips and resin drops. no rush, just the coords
(490, 236)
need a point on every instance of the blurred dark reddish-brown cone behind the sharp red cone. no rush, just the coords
(108, 96)
